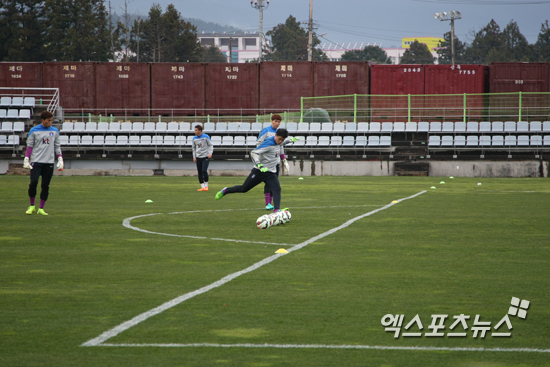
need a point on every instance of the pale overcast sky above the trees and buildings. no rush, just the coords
(381, 21)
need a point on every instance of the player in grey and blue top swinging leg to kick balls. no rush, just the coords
(265, 157)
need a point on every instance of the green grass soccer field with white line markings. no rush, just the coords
(110, 280)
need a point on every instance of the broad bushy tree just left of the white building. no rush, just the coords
(165, 37)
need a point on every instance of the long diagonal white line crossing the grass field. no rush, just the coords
(176, 301)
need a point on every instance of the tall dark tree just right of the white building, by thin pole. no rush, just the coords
(290, 41)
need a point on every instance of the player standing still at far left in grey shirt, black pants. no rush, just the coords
(43, 146)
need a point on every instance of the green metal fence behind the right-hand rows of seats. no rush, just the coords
(521, 106)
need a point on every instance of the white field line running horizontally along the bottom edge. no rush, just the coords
(329, 346)
